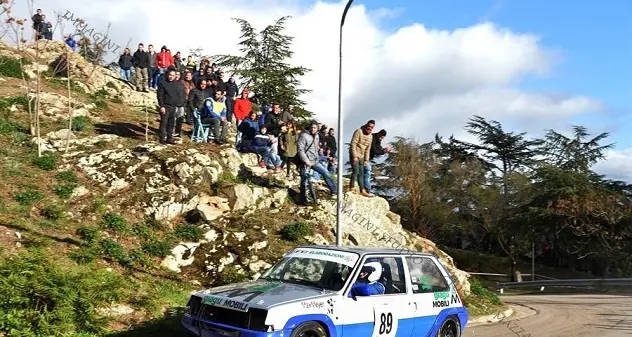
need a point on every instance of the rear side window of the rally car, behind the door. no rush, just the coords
(425, 275)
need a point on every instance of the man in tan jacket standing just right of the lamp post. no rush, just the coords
(360, 152)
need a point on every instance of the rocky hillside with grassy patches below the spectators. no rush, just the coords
(200, 214)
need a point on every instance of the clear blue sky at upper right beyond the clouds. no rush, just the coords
(595, 39)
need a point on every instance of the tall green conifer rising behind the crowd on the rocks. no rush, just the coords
(264, 68)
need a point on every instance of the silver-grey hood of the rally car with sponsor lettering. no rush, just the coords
(259, 294)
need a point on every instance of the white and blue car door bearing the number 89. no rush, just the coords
(387, 315)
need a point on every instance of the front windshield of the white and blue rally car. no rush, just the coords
(310, 272)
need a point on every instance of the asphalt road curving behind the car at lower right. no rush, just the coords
(562, 316)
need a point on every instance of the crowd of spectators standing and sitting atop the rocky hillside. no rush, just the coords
(198, 95)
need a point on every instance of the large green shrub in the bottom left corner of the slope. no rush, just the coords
(41, 298)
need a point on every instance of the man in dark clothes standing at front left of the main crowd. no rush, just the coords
(170, 95)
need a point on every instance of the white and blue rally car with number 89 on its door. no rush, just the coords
(330, 291)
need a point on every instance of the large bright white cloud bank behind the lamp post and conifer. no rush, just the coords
(413, 81)
